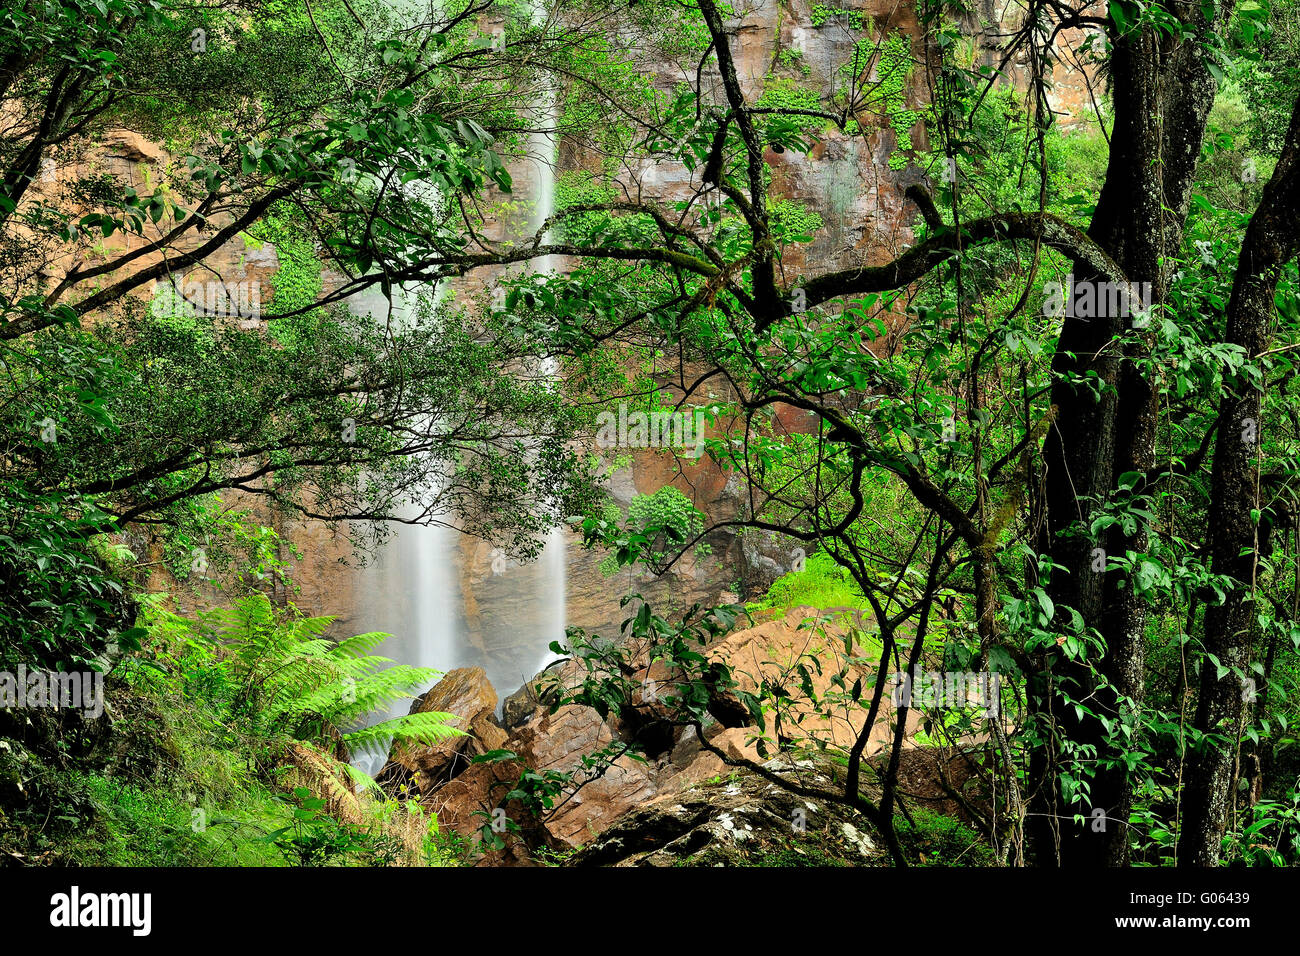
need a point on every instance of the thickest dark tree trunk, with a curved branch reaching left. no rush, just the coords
(1163, 94)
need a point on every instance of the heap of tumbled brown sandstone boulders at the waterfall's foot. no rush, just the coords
(558, 742)
